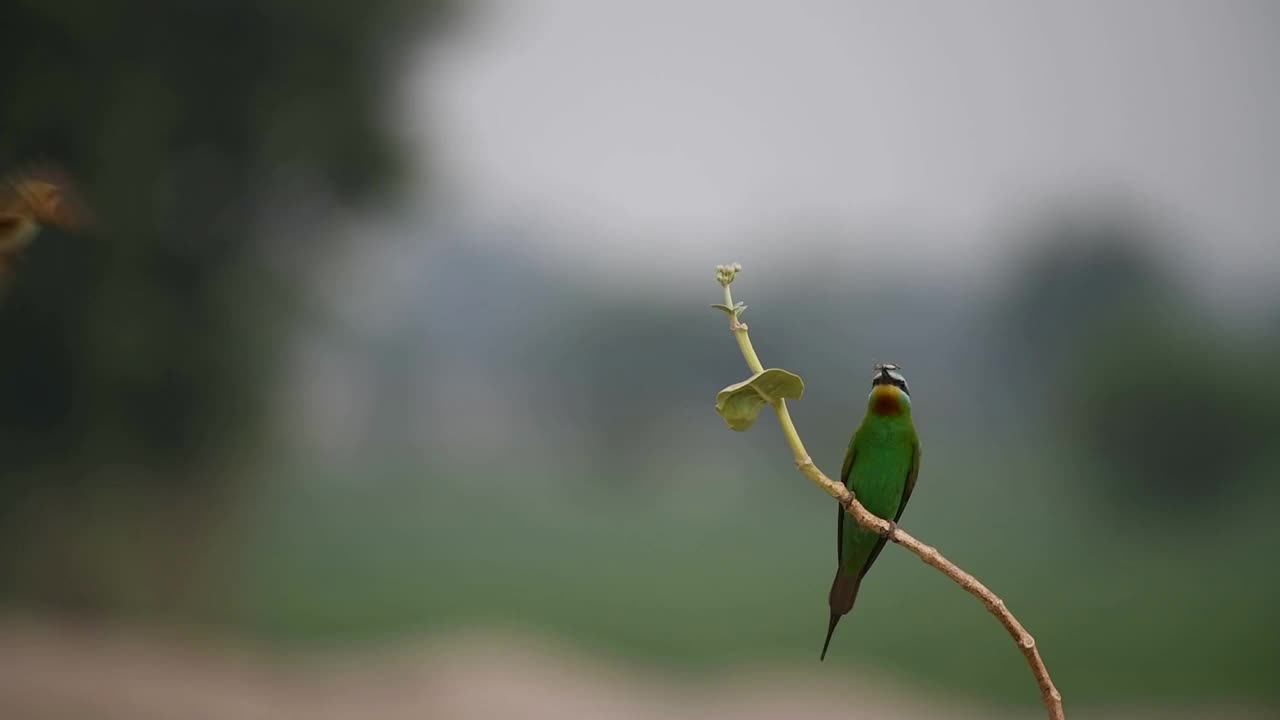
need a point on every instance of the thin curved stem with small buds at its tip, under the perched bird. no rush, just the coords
(1050, 696)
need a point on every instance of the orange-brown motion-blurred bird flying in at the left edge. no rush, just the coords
(28, 203)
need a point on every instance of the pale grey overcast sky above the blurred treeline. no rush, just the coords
(678, 126)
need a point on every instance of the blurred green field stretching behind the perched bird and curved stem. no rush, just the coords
(716, 572)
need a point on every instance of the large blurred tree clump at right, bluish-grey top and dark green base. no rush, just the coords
(1127, 370)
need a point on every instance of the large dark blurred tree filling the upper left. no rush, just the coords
(205, 136)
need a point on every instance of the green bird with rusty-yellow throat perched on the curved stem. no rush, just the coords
(881, 466)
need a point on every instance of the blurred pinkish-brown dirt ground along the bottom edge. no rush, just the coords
(60, 672)
